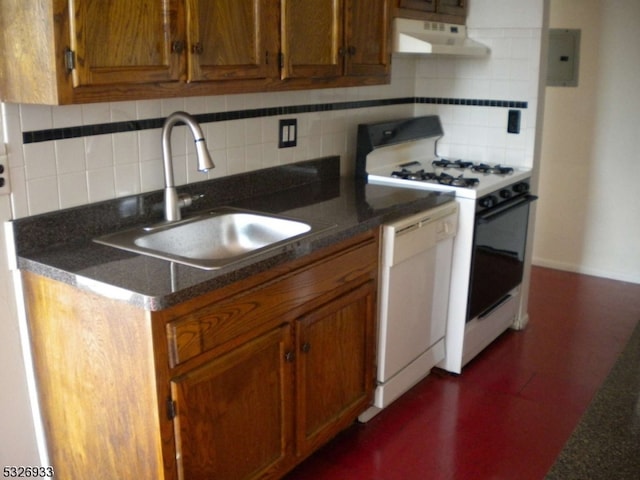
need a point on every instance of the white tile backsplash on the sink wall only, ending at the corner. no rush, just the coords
(56, 174)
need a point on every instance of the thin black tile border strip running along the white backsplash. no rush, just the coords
(37, 136)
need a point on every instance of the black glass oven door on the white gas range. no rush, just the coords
(497, 262)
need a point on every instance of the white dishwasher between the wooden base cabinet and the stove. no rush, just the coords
(413, 295)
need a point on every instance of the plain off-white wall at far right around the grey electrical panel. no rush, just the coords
(588, 212)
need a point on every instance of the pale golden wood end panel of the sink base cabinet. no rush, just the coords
(94, 365)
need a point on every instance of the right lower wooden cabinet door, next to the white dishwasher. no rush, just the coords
(335, 359)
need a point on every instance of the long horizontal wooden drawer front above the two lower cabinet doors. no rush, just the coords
(272, 303)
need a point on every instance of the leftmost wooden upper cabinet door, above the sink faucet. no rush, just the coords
(121, 41)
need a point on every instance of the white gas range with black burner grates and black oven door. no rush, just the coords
(487, 264)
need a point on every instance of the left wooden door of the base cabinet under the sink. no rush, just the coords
(233, 414)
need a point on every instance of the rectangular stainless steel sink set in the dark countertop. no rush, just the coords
(212, 240)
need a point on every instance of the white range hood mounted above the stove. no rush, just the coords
(434, 38)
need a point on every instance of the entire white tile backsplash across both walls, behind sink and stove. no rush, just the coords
(65, 172)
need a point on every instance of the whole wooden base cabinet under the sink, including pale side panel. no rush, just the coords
(241, 383)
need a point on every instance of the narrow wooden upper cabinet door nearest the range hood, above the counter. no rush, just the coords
(367, 37)
